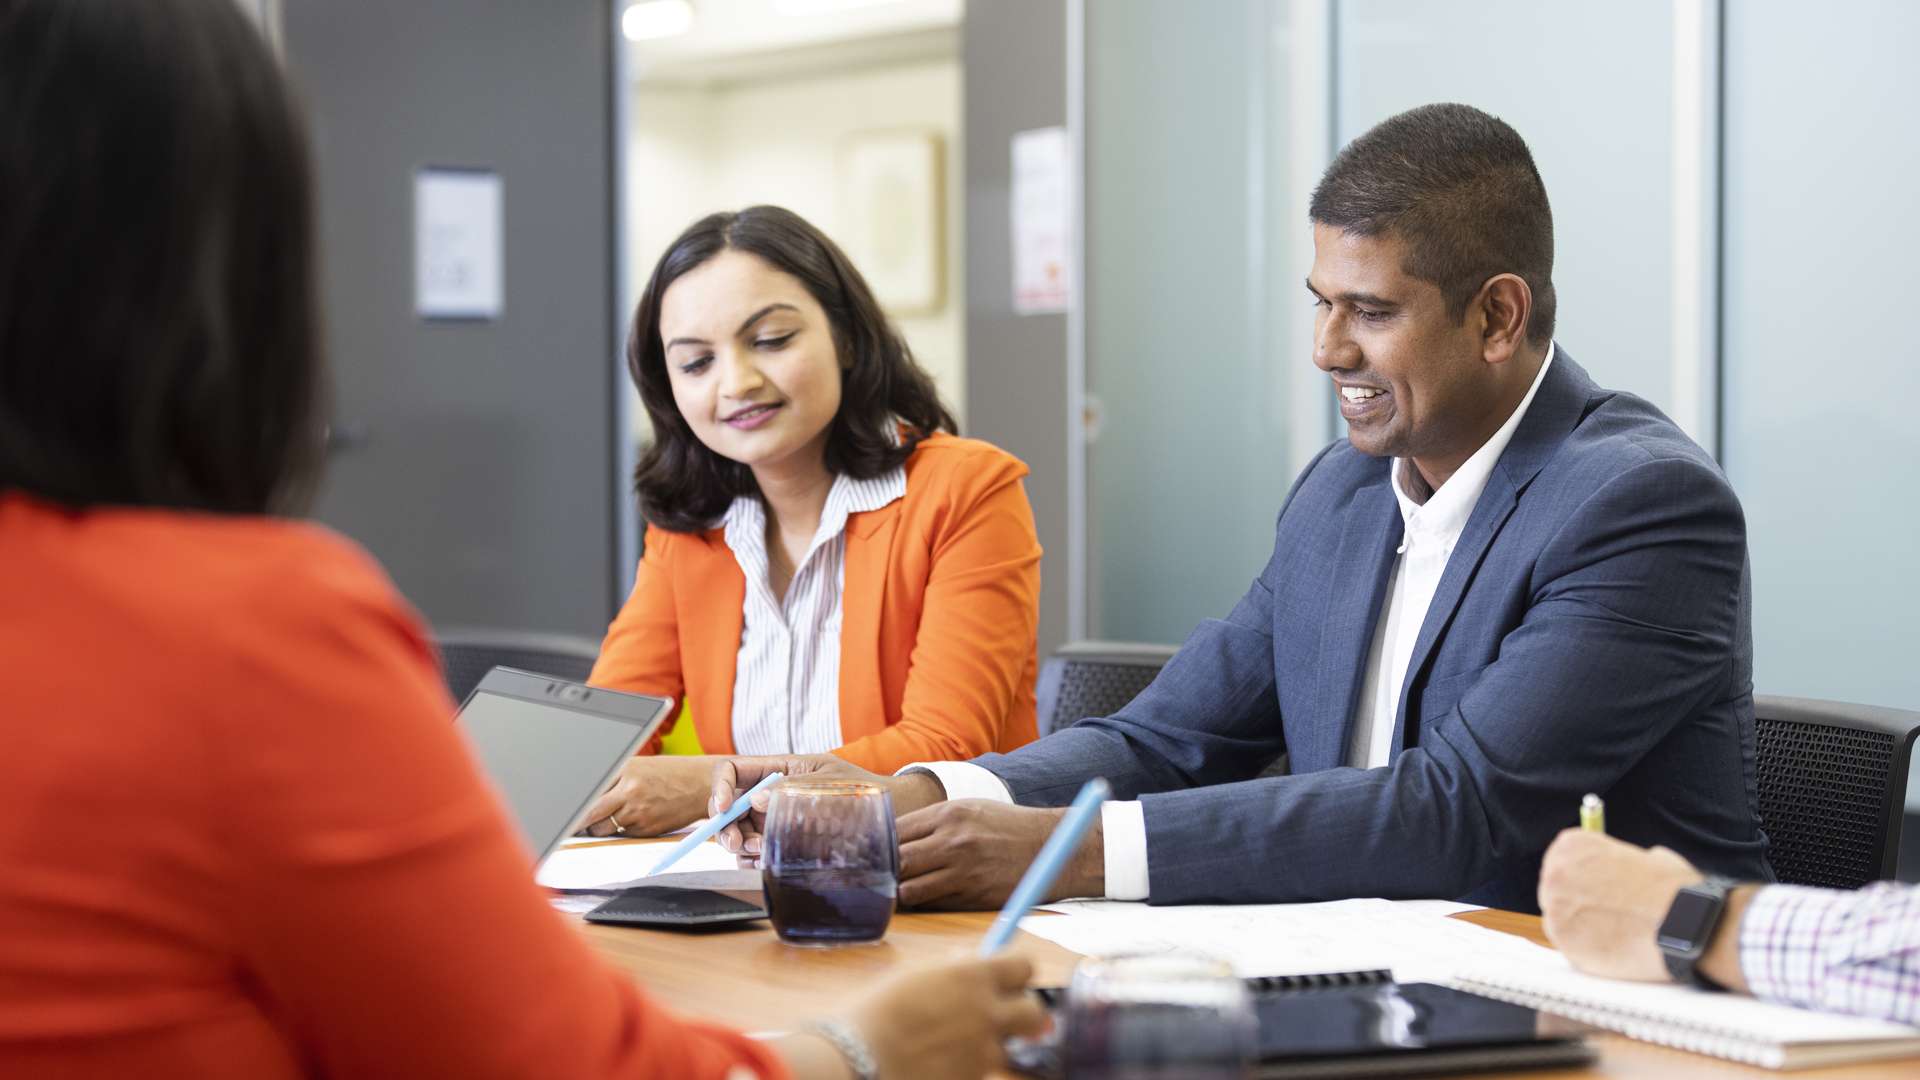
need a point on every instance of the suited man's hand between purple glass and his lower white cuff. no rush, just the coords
(971, 854)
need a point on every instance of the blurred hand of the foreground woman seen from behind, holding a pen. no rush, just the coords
(940, 1023)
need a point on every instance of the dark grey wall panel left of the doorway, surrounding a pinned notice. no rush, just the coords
(475, 458)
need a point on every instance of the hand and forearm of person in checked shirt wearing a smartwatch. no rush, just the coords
(1833, 950)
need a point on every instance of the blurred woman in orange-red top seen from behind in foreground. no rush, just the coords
(241, 837)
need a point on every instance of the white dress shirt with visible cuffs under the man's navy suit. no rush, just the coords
(1429, 535)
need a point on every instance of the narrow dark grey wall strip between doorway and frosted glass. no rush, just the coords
(1013, 57)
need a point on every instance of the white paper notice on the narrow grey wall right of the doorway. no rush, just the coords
(1044, 222)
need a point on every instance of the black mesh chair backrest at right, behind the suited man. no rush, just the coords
(1833, 789)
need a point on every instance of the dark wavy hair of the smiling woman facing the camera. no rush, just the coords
(683, 485)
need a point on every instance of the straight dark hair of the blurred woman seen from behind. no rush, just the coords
(158, 328)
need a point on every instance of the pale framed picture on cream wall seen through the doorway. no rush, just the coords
(894, 216)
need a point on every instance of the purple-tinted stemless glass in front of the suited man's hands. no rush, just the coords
(830, 862)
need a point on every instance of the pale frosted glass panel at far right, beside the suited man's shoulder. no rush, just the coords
(1819, 397)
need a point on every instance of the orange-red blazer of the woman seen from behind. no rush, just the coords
(243, 839)
